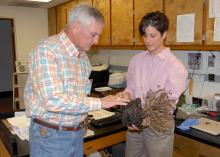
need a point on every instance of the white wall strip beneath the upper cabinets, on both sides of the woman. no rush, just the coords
(201, 87)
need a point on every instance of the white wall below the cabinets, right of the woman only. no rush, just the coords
(201, 87)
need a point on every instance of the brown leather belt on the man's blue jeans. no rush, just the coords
(57, 127)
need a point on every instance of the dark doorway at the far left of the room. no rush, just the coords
(7, 56)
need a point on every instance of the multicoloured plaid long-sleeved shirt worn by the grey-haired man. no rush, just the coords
(57, 86)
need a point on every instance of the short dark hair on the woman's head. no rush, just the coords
(155, 19)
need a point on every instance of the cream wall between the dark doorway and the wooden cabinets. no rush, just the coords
(31, 25)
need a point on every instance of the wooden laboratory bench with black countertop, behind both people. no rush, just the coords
(189, 143)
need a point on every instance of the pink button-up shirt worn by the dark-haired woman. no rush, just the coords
(163, 70)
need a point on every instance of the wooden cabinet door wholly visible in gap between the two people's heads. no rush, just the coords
(122, 22)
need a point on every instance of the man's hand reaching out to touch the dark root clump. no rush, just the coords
(113, 100)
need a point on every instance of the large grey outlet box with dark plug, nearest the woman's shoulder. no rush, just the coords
(194, 61)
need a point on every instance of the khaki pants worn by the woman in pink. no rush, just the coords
(148, 144)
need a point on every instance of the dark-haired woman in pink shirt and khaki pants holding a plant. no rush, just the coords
(149, 70)
